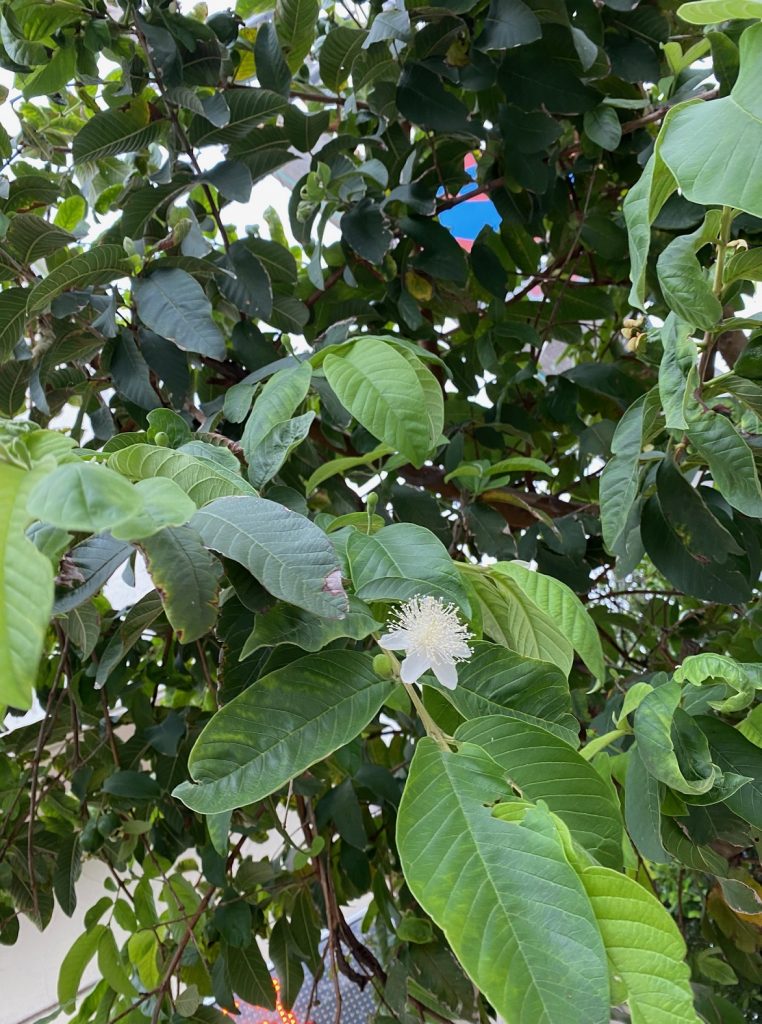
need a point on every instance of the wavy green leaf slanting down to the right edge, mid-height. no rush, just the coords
(731, 460)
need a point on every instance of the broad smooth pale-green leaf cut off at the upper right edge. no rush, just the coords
(714, 151)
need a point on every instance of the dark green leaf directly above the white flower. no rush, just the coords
(400, 563)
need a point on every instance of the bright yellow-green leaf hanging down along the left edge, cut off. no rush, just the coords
(26, 590)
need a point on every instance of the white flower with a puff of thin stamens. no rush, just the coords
(431, 633)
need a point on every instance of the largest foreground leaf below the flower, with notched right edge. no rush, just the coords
(482, 879)
